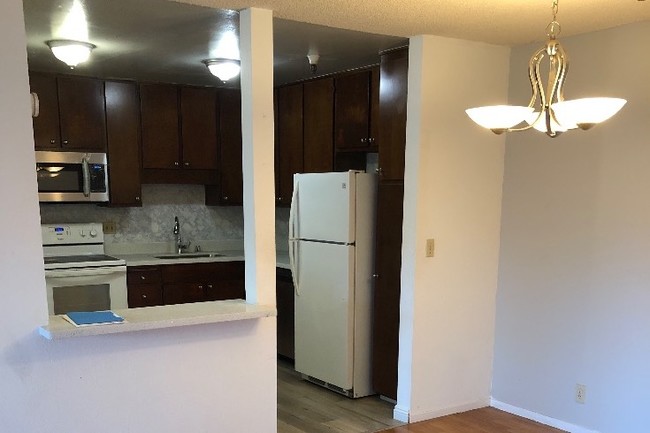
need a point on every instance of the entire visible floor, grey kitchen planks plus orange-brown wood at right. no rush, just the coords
(307, 408)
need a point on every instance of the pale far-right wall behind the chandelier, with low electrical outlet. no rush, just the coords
(574, 281)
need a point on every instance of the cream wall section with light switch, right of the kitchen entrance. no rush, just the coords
(453, 181)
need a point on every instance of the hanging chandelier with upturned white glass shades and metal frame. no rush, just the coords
(547, 110)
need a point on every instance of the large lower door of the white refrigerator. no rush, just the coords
(324, 317)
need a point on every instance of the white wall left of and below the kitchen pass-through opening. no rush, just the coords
(197, 379)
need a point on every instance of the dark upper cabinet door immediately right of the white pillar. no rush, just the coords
(290, 144)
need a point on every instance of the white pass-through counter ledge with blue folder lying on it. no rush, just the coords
(167, 316)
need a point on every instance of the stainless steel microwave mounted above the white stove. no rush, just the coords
(72, 176)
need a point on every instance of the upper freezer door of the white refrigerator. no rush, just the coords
(323, 207)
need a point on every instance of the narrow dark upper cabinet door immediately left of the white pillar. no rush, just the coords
(230, 143)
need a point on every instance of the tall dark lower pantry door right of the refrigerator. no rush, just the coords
(387, 288)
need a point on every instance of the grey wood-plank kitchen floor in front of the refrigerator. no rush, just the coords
(307, 408)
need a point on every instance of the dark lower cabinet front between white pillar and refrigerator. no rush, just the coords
(285, 305)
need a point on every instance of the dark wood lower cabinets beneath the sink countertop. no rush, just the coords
(185, 283)
